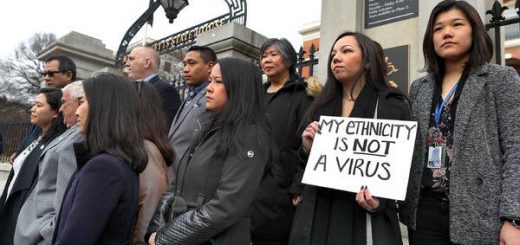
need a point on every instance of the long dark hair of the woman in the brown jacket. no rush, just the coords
(153, 120)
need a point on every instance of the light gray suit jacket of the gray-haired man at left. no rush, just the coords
(38, 215)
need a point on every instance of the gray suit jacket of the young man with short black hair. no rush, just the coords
(183, 125)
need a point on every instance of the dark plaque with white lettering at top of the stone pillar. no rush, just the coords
(380, 12)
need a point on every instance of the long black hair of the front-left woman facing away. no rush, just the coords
(113, 119)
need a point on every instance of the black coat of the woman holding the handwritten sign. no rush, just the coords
(329, 217)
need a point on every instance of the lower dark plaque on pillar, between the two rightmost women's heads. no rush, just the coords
(397, 62)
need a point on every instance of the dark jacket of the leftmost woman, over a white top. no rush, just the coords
(21, 189)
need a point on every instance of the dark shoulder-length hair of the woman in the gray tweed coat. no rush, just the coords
(481, 49)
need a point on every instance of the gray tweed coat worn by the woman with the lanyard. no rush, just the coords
(485, 172)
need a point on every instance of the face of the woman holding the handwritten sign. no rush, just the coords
(347, 58)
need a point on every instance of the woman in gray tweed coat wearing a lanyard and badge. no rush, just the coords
(463, 185)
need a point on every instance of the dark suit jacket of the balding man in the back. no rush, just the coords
(169, 96)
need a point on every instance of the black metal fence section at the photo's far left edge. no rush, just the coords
(12, 134)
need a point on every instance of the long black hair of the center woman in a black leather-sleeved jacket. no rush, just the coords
(245, 104)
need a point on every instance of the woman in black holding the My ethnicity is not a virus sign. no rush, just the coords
(355, 87)
